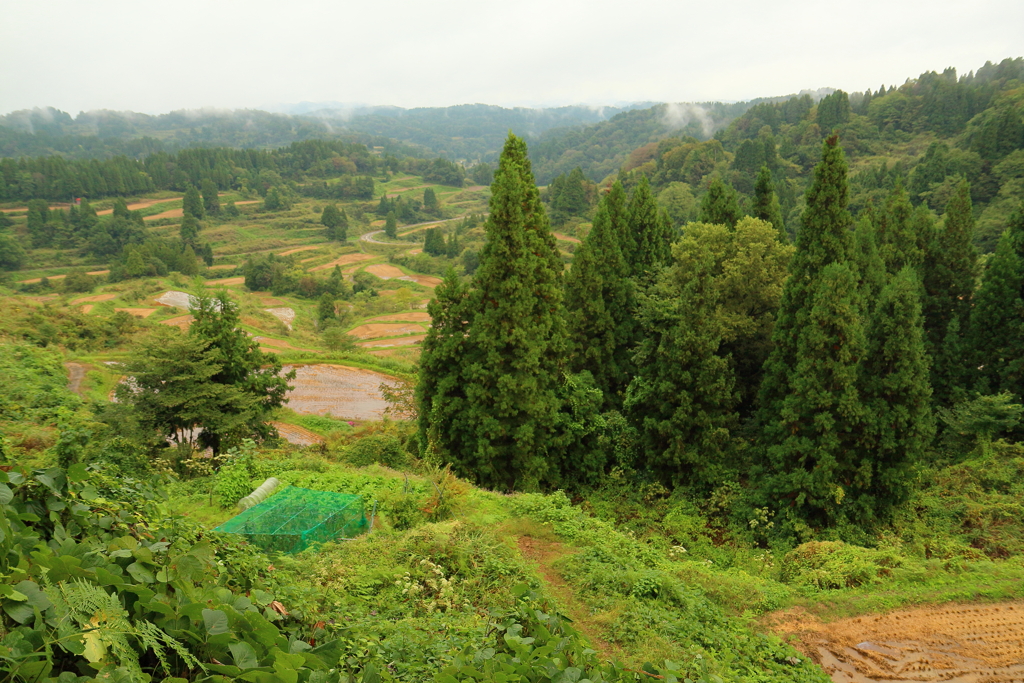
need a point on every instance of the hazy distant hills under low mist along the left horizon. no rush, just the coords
(468, 133)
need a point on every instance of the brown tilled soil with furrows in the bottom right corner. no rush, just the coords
(969, 644)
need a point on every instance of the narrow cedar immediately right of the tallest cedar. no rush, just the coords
(600, 310)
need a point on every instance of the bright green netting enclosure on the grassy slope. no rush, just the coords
(297, 518)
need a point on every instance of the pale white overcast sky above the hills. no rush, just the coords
(159, 57)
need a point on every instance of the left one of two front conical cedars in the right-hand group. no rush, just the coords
(820, 422)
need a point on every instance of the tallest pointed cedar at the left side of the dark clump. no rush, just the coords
(517, 341)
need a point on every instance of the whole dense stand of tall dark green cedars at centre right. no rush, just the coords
(807, 379)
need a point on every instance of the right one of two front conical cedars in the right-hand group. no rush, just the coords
(898, 393)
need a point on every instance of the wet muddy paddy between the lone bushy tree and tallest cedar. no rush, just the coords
(348, 394)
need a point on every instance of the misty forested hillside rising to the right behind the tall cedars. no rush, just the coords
(921, 138)
